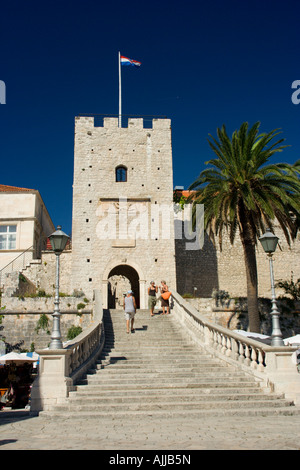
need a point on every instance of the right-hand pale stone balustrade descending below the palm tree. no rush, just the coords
(272, 366)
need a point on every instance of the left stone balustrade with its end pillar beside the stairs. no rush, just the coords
(60, 369)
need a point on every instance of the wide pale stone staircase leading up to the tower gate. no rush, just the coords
(157, 371)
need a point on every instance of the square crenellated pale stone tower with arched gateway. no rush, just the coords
(123, 227)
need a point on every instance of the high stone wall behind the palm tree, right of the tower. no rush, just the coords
(211, 268)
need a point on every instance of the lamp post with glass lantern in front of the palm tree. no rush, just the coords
(269, 243)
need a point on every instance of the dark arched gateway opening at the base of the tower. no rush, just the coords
(128, 279)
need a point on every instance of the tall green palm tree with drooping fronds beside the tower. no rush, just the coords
(242, 191)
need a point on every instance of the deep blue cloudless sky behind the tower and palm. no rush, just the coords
(204, 64)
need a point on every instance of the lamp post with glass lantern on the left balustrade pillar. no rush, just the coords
(58, 241)
